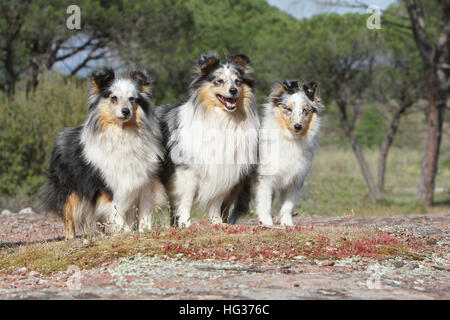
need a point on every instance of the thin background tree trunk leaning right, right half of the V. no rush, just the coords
(387, 143)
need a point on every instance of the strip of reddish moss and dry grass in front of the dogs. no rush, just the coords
(241, 243)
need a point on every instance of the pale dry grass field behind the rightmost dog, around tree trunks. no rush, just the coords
(336, 187)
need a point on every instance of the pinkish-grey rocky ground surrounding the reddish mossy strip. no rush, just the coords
(142, 276)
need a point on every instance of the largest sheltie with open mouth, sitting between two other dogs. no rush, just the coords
(211, 139)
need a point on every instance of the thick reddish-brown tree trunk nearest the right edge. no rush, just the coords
(437, 103)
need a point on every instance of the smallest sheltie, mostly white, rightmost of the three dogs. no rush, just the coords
(288, 141)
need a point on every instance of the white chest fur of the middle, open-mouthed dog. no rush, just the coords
(219, 149)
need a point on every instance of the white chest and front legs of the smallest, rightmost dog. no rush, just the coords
(285, 162)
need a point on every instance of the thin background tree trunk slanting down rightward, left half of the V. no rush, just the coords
(356, 147)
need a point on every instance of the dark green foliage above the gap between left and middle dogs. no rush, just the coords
(158, 36)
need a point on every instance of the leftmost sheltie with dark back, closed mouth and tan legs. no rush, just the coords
(100, 170)
